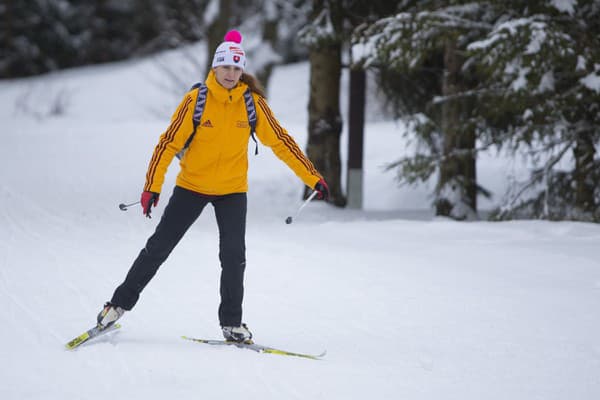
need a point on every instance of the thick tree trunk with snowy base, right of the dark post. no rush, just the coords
(457, 185)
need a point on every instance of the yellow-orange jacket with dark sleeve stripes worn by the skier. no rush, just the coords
(216, 162)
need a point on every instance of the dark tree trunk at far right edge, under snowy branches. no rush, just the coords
(584, 152)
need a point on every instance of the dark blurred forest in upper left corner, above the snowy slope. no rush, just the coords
(38, 36)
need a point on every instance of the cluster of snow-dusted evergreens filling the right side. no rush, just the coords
(527, 83)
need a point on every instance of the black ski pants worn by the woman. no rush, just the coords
(183, 209)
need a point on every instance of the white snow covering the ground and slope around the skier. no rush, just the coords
(407, 306)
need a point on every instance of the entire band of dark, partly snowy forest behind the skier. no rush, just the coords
(520, 79)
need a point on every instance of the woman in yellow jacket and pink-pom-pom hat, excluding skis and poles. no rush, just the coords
(213, 170)
